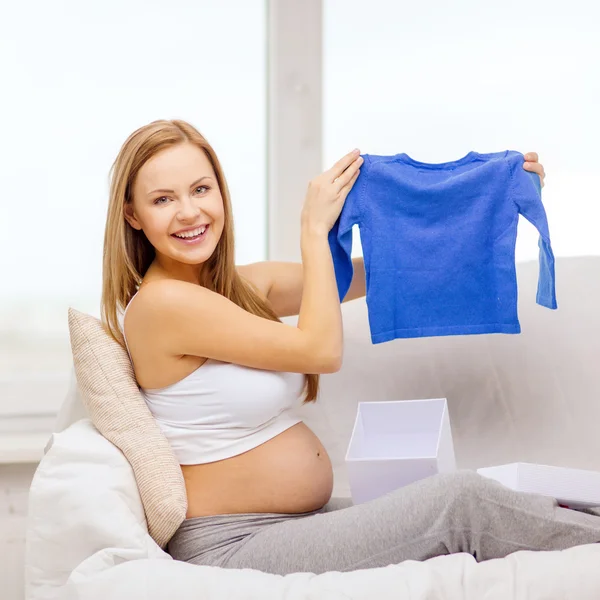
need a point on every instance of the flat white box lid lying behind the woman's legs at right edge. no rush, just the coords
(574, 488)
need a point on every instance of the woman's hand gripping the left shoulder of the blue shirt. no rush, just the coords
(327, 193)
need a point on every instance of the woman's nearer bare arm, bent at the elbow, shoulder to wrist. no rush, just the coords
(192, 320)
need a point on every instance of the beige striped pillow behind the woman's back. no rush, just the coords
(110, 393)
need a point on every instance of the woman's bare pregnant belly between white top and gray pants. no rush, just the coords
(290, 473)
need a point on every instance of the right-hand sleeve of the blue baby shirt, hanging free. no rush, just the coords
(526, 191)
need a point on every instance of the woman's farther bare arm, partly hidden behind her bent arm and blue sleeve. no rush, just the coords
(281, 283)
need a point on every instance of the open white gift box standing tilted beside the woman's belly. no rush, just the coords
(395, 443)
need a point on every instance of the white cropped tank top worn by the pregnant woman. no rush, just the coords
(222, 409)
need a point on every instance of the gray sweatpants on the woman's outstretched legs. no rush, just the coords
(443, 514)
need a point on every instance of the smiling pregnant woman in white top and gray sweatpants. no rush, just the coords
(220, 373)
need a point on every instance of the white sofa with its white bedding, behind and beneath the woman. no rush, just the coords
(529, 397)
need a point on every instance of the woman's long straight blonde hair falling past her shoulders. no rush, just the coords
(128, 253)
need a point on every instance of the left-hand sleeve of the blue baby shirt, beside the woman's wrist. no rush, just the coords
(340, 236)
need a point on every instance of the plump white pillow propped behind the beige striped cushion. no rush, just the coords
(83, 498)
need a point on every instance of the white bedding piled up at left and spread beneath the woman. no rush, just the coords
(97, 547)
